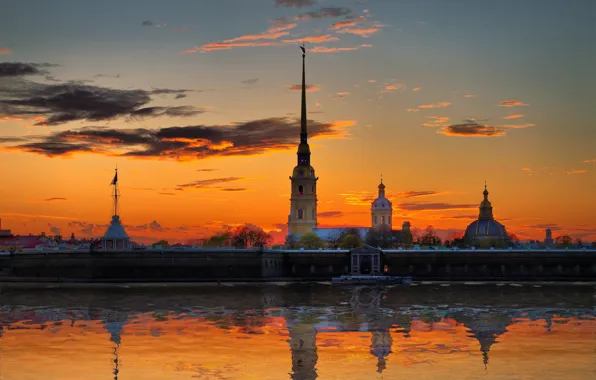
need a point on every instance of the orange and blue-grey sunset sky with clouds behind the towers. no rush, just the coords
(196, 103)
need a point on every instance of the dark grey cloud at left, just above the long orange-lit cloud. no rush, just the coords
(75, 101)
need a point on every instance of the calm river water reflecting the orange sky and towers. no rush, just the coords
(299, 332)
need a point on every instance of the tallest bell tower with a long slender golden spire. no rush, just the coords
(303, 200)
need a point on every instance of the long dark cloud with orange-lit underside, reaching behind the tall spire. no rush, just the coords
(181, 143)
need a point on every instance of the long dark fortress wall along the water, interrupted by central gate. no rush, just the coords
(210, 265)
